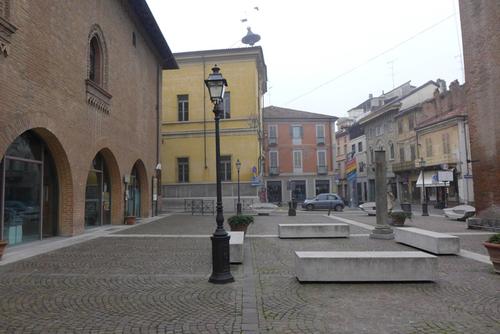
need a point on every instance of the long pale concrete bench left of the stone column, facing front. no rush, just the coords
(338, 230)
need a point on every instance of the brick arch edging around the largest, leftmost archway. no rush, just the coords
(64, 177)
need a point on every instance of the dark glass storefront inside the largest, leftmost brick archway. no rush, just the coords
(28, 191)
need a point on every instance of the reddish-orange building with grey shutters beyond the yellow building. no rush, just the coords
(298, 147)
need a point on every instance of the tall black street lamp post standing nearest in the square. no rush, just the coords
(221, 273)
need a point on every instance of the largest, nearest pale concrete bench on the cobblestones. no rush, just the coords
(365, 266)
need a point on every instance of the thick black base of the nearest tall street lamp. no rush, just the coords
(220, 259)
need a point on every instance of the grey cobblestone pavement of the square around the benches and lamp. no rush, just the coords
(138, 284)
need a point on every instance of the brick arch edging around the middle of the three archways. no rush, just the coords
(116, 184)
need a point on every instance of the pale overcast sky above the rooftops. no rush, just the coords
(326, 56)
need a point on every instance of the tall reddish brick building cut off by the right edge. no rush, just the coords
(481, 42)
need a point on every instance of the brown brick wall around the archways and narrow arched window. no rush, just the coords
(42, 87)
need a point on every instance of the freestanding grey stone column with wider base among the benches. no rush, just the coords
(382, 230)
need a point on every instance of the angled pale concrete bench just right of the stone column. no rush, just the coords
(436, 243)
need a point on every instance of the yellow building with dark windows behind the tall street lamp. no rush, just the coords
(187, 130)
